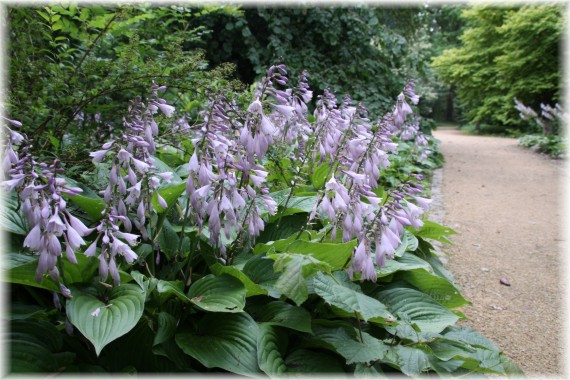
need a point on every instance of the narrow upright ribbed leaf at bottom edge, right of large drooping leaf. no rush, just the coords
(269, 356)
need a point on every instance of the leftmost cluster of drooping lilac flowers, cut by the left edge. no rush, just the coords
(41, 193)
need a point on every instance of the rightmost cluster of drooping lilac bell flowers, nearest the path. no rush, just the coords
(357, 152)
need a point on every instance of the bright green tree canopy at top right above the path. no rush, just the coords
(505, 52)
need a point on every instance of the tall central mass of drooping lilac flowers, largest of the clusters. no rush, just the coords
(227, 184)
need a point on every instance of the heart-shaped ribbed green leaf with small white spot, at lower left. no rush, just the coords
(116, 318)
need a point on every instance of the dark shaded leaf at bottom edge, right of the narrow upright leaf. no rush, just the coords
(310, 361)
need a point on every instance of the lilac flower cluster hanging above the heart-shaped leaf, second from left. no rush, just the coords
(133, 179)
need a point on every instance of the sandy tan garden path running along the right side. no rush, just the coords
(506, 204)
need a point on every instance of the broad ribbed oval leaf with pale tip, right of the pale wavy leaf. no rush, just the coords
(421, 309)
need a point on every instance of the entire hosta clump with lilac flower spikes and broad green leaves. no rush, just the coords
(259, 238)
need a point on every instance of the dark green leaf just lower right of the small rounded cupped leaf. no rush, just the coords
(279, 313)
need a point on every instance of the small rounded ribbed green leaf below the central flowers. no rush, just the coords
(225, 294)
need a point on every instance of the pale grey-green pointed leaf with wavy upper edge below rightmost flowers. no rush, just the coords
(340, 292)
